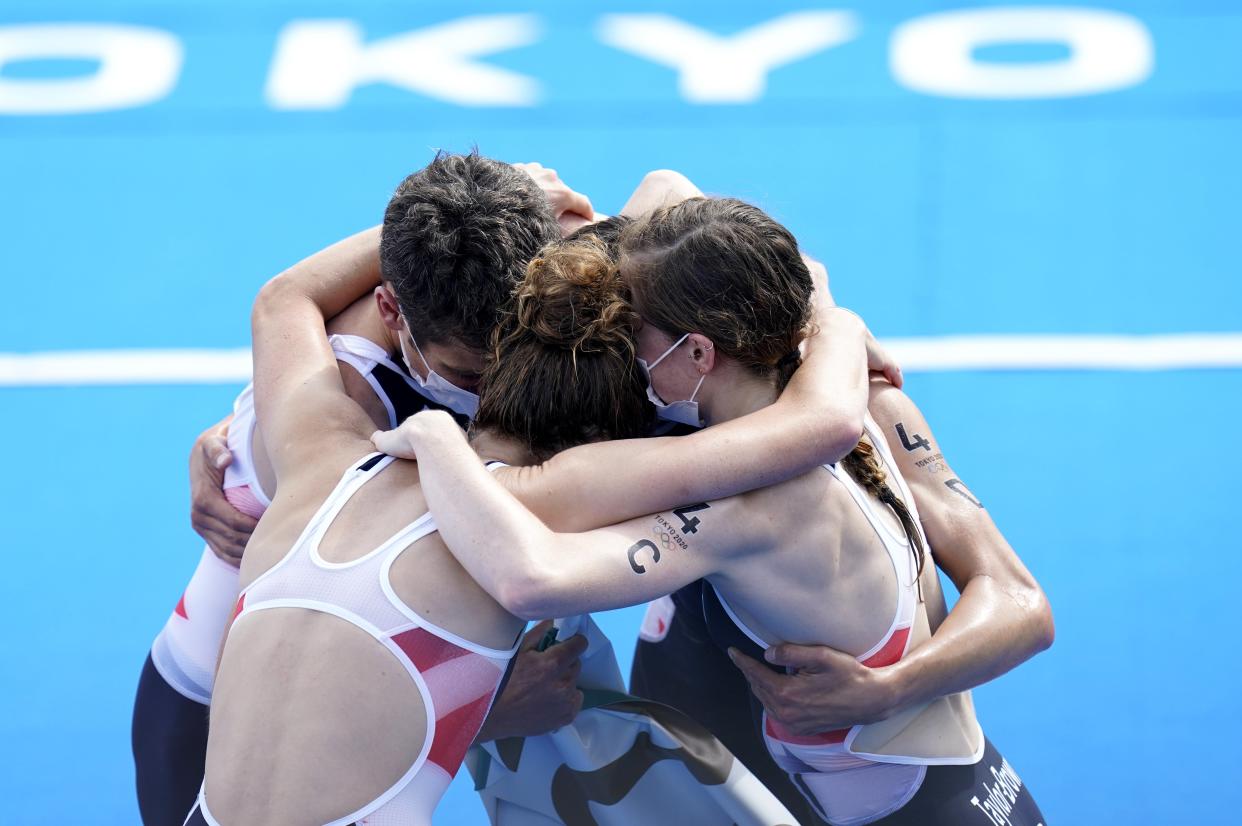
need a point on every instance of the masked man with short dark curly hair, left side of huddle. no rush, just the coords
(455, 240)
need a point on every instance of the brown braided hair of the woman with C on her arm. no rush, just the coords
(725, 269)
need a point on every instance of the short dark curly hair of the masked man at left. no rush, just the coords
(456, 240)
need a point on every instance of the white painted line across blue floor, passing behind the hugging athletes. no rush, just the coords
(950, 353)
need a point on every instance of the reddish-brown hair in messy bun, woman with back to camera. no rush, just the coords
(562, 368)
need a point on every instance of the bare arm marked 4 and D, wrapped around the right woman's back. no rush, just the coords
(1000, 620)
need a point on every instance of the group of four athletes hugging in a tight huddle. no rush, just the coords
(786, 525)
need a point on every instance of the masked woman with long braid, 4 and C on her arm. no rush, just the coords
(833, 557)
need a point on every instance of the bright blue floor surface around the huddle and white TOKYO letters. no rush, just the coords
(1116, 213)
